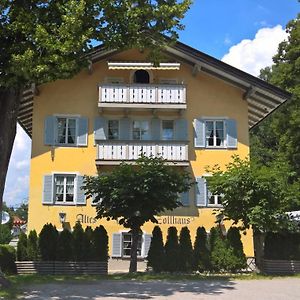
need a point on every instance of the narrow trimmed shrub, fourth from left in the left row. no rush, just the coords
(64, 251)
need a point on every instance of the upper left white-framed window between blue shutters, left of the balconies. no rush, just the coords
(66, 131)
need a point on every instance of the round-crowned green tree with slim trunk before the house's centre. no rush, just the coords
(133, 195)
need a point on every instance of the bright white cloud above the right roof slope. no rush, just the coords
(253, 55)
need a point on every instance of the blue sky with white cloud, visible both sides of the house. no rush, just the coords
(243, 33)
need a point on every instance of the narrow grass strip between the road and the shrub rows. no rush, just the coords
(19, 281)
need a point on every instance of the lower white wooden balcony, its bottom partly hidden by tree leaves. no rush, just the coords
(114, 152)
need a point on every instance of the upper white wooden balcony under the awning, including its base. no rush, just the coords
(168, 96)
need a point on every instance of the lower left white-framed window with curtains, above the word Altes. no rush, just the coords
(64, 186)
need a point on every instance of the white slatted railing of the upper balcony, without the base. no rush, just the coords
(142, 93)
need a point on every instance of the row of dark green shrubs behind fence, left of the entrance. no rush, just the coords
(78, 245)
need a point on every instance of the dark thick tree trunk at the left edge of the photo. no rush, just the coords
(9, 109)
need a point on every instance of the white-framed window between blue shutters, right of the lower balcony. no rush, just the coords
(214, 133)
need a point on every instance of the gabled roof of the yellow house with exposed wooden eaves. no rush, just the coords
(262, 97)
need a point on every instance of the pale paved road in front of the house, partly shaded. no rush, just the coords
(281, 289)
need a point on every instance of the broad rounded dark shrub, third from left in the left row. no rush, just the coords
(48, 242)
